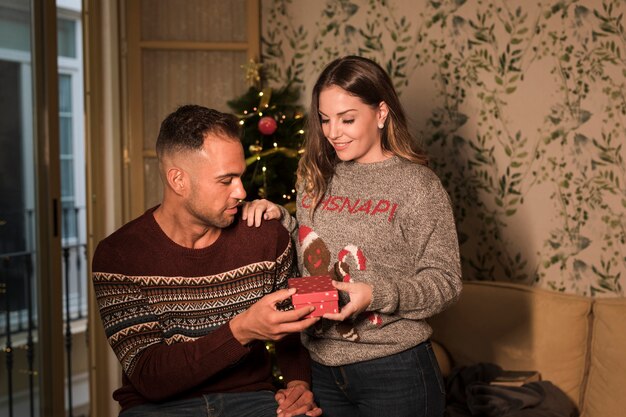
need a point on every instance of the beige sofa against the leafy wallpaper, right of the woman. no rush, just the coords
(577, 343)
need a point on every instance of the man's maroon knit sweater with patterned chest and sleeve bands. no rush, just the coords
(166, 308)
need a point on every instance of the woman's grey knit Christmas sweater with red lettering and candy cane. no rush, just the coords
(389, 224)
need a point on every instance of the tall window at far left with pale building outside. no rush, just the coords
(19, 256)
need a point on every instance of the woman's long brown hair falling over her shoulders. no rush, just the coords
(366, 80)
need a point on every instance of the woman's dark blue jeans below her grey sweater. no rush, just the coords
(407, 384)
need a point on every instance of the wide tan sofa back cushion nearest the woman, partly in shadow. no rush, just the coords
(519, 328)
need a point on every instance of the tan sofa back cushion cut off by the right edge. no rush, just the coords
(606, 386)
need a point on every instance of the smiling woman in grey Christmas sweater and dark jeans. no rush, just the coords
(375, 217)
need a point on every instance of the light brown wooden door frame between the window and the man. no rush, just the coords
(104, 185)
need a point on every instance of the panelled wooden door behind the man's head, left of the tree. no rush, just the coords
(178, 52)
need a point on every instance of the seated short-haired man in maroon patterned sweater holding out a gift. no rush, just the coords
(188, 293)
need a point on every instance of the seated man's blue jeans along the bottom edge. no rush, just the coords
(244, 404)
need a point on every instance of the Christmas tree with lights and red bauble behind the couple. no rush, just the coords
(273, 130)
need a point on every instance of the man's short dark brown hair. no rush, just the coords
(186, 128)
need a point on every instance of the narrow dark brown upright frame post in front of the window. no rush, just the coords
(48, 207)
